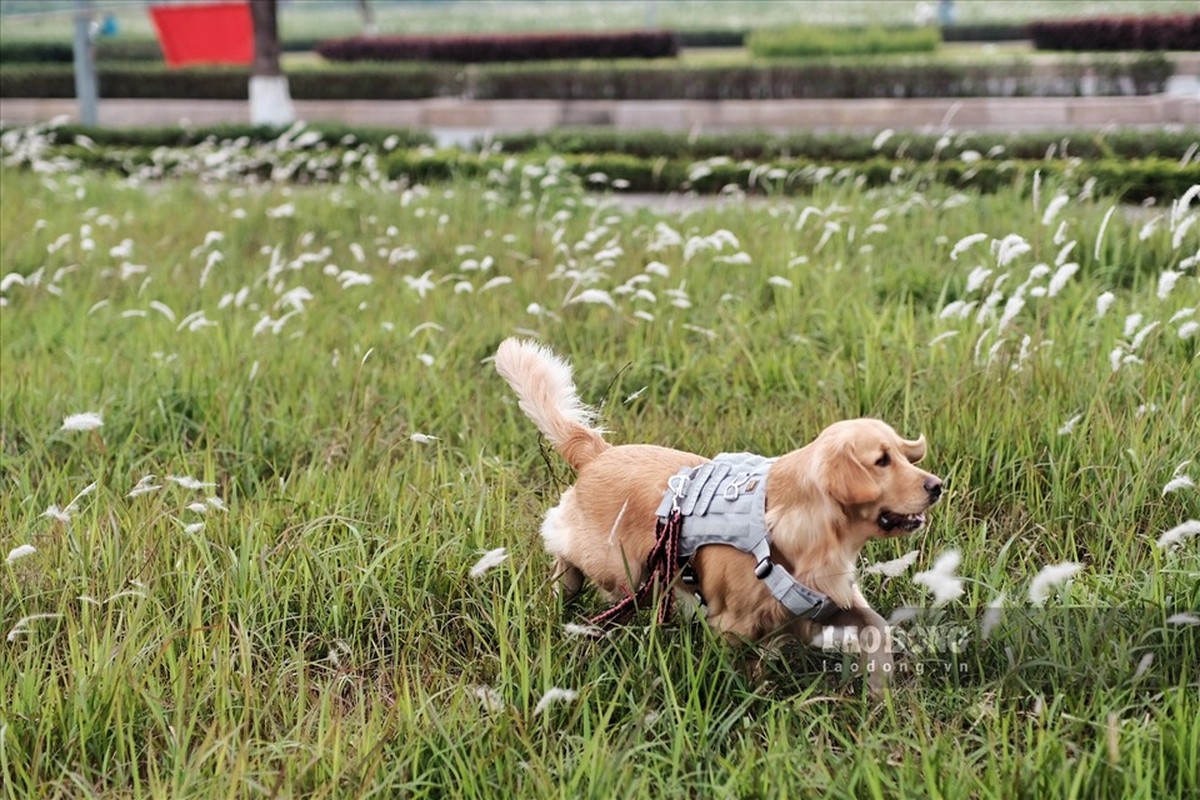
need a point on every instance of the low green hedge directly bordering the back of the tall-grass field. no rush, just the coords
(1131, 181)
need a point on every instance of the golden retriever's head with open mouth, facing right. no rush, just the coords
(868, 470)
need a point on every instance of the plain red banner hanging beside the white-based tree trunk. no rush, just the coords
(212, 33)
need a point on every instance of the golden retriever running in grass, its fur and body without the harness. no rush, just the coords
(855, 483)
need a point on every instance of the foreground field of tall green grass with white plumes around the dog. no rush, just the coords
(254, 579)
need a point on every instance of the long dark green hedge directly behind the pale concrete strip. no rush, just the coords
(814, 80)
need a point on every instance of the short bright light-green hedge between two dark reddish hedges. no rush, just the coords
(813, 41)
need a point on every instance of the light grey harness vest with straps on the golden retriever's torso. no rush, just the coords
(725, 503)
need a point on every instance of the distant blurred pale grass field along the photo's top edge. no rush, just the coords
(52, 19)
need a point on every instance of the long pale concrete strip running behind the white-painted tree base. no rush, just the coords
(455, 118)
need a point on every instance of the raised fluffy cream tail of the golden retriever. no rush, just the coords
(547, 390)
